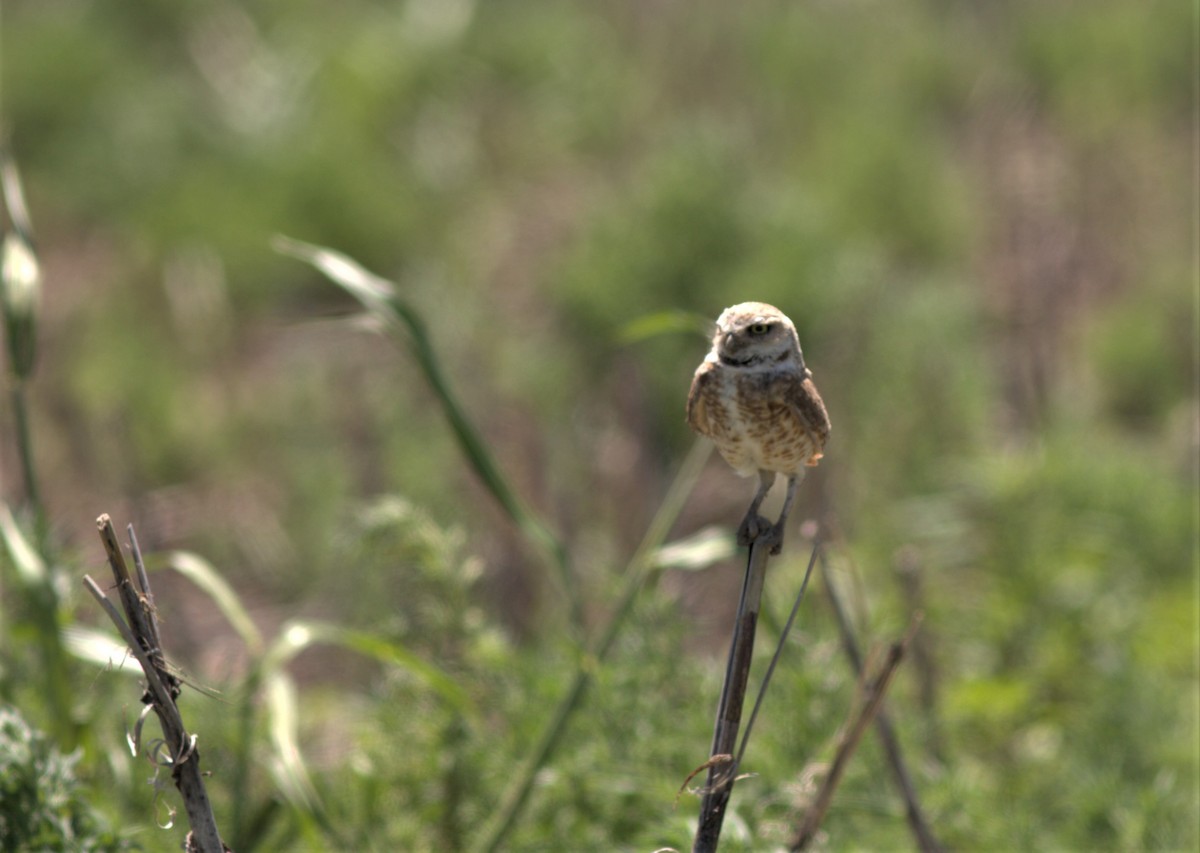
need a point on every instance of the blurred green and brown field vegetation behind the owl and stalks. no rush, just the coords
(981, 217)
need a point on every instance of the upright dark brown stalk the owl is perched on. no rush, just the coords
(722, 774)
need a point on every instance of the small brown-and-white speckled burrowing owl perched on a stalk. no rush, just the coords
(755, 399)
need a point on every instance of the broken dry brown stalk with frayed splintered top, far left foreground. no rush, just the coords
(140, 628)
